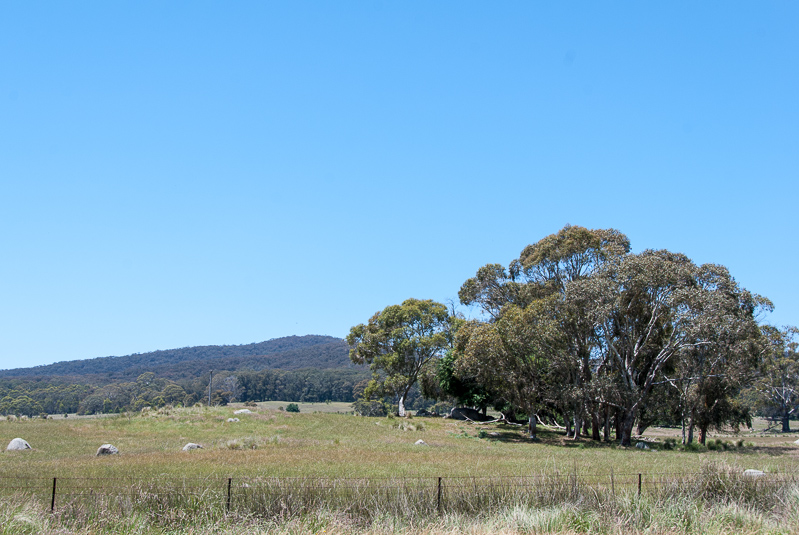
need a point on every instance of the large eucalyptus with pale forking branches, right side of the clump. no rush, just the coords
(648, 309)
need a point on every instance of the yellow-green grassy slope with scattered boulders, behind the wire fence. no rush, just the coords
(320, 442)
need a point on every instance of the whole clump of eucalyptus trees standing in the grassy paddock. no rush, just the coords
(583, 333)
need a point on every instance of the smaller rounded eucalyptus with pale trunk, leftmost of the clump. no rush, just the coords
(397, 343)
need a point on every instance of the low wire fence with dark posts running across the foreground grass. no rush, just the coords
(420, 496)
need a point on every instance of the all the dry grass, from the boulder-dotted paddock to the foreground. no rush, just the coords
(591, 487)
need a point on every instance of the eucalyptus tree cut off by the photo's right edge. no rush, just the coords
(778, 385)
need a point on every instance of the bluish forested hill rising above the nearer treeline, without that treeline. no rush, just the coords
(287, 353)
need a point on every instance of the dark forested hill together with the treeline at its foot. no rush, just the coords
(295, 368)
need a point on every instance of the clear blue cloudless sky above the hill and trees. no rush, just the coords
(189, 173)
